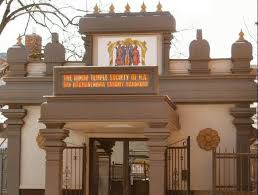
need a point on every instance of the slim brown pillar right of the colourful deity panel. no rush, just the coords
(167, 37)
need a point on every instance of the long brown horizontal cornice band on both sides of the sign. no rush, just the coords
(230, 88)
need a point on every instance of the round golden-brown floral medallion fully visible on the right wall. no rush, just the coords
(208, 139)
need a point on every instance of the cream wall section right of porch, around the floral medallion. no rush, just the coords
(194, 118)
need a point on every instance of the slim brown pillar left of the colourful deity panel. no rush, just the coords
(88, 45)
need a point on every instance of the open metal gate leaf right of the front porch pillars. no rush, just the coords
(178, 168)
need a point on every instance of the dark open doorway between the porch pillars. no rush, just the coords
(119, 167)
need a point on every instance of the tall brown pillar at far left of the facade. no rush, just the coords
(14, 122)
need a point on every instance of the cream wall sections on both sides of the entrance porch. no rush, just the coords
(191, 120)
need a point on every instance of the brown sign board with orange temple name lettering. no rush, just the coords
(150, 71)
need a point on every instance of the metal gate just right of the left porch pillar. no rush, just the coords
(74, 170)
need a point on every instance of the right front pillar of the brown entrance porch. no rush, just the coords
(157, 136)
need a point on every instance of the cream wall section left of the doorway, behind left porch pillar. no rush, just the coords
(32, 173)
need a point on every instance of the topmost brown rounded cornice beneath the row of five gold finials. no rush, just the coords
(127, 22)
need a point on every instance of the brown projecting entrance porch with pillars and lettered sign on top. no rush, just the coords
(135, 112)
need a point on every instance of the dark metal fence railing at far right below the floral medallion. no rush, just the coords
(234, 172)
